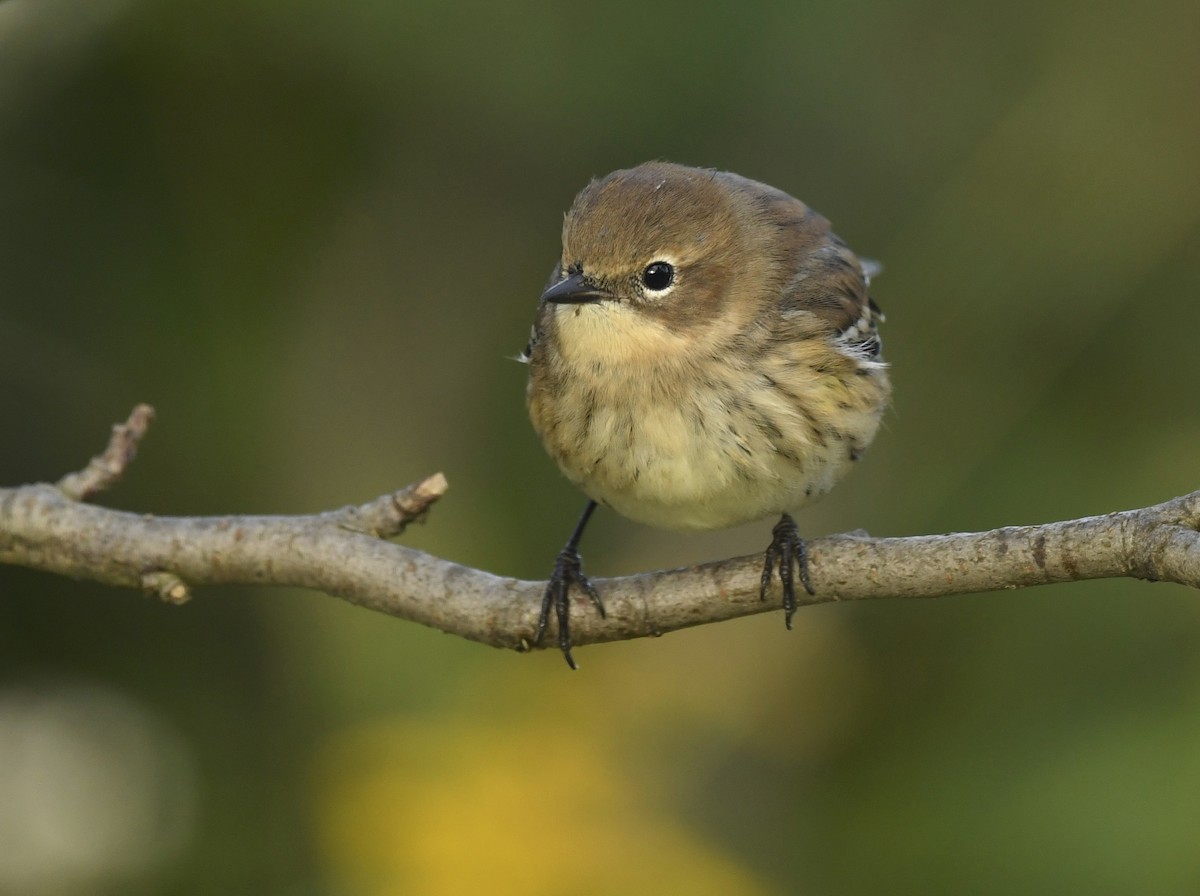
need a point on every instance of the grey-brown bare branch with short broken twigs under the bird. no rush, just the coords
(343, 554)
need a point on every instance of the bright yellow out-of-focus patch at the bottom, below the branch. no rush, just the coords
(412, 808)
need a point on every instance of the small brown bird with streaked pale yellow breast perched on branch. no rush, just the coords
(705, 354)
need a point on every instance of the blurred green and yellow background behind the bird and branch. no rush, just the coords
(313, 236)
